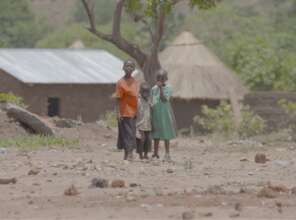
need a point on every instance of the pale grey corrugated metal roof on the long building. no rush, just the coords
(59, 66)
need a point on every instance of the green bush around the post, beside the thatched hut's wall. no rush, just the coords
(220, 120)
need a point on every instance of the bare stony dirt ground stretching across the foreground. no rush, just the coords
(207, 179)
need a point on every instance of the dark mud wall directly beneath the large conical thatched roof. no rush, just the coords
(186, 110)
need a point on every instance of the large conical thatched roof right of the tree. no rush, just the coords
(196, 73)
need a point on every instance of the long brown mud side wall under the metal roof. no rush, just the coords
(86, 101)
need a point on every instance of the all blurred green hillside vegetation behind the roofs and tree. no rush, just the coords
(255, 38)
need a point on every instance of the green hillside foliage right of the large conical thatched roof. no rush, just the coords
(256, 39)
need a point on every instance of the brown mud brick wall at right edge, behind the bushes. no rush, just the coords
(266, 105)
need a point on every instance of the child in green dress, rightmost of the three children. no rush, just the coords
(163, 119)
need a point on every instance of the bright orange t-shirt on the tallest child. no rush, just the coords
(127, 93)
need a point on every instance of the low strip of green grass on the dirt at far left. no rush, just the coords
(32, 142)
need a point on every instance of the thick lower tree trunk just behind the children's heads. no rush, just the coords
(150, 68)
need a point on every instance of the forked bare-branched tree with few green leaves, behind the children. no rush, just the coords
(152, 14)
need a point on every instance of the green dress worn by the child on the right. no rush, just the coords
(163, 119)
